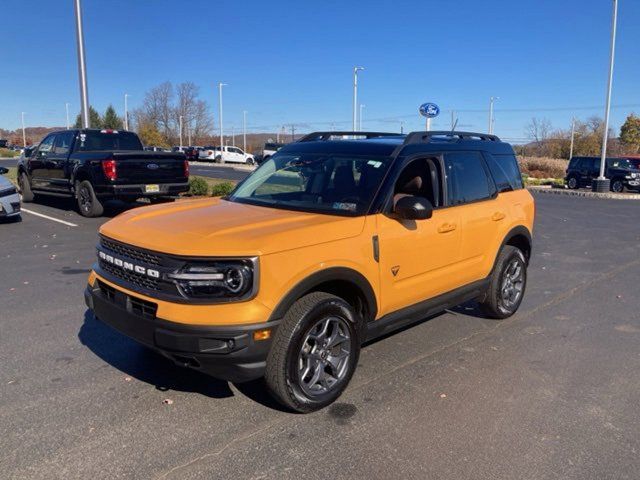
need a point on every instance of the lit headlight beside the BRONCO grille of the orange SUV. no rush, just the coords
(221, 279)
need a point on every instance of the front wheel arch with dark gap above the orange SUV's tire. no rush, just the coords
(343, 282)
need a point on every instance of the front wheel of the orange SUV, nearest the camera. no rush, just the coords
(314, 353)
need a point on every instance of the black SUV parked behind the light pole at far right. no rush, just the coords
(623, 173)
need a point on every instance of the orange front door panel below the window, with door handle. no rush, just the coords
(417, 257)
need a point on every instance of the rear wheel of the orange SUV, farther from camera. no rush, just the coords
(507, 285)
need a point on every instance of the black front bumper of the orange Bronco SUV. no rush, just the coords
(228, 353)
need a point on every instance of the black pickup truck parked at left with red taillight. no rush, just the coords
(94, 166)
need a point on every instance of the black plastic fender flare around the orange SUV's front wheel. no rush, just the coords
(323, 276)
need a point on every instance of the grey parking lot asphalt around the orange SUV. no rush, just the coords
(549, 393)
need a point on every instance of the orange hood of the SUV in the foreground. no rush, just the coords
(215, 227)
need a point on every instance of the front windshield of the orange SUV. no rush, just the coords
(325, 183)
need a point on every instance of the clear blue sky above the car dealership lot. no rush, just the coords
(291, 61)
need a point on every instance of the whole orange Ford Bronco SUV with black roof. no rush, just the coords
(331, 242)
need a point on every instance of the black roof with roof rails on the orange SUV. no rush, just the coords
(384, 144)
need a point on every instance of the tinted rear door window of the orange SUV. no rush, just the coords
(467, 178)
